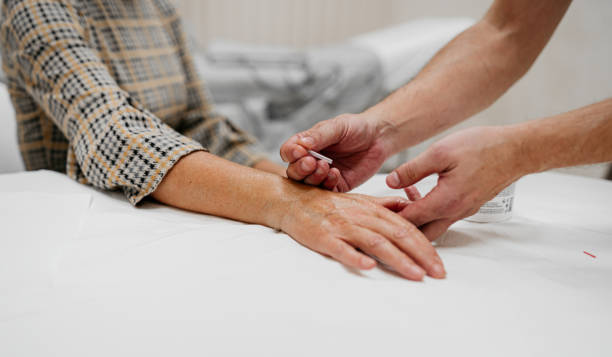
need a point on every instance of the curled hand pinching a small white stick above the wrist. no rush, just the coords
(354, 143)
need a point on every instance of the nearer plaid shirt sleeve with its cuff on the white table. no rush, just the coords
(115, 142)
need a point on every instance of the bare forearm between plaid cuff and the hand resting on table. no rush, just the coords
(205, 183)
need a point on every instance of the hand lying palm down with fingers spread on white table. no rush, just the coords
(345, 226)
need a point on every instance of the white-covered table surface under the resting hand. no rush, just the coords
(83, 273)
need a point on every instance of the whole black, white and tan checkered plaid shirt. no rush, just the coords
(106, 91)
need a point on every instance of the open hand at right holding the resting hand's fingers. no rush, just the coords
(473, 166)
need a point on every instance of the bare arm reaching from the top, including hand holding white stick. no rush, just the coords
(465, 77)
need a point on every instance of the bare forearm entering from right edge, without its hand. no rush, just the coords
(582, 136)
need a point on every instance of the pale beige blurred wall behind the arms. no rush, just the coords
(574, 69)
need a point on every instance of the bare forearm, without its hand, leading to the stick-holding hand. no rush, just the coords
(471, 72)
